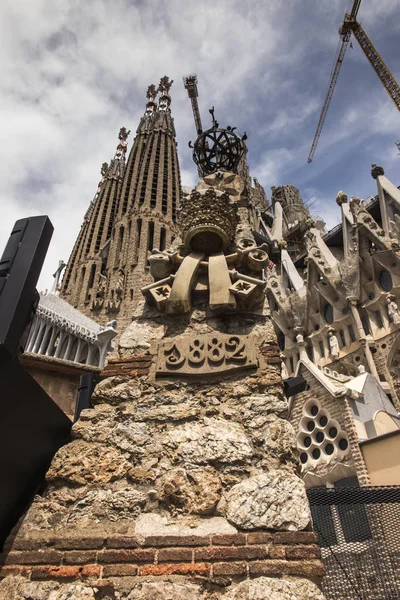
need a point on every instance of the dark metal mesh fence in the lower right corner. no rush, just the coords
(359, 536)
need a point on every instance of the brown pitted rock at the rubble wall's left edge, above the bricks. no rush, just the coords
(81, 463)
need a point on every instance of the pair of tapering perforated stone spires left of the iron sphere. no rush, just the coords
(128, 219)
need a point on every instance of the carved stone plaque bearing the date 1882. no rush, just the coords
(205, 354)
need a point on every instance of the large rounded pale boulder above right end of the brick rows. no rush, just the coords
(274, 500)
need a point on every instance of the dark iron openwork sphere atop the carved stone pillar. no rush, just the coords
(218, 150)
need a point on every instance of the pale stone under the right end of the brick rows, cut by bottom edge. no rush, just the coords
(274, 589)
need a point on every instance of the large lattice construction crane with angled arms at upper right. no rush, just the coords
(351, 25)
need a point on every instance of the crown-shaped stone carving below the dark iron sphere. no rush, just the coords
(208, 221)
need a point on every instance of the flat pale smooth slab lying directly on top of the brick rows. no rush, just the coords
(150, 524)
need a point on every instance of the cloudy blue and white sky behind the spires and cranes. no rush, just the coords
(74, 72)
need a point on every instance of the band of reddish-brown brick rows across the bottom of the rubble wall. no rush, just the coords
(235, 555)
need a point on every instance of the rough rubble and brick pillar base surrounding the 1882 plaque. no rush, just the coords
(183, 484)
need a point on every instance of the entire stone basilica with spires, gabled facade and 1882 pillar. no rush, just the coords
(187, 478)
